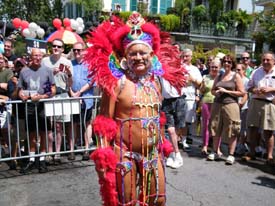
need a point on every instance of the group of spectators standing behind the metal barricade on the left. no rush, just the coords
(25, 127)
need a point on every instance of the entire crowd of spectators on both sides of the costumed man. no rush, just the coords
(227, 92)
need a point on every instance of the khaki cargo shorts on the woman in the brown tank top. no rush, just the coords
(225, 120)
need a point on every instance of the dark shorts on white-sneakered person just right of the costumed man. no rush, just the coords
(175, 111)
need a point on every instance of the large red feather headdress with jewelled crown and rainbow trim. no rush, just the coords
(110, 41)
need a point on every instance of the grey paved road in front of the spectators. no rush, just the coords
(197, 183)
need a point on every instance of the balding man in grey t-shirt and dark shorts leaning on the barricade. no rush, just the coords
(36, 83)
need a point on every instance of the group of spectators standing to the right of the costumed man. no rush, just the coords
(227, 101)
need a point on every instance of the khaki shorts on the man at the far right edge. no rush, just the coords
(261, 114)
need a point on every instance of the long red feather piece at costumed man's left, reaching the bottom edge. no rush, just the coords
(105, 159)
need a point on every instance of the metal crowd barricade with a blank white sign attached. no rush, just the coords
(15, 137)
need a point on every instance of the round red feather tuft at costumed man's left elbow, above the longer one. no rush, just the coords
(105, 127)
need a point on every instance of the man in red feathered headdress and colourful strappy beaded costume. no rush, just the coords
(127, 61)
